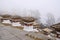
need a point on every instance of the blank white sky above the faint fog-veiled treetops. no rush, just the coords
(44, 6)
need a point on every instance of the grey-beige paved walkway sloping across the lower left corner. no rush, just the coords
(8, 33)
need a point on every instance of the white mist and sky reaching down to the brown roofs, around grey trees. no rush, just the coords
(22, 7)
